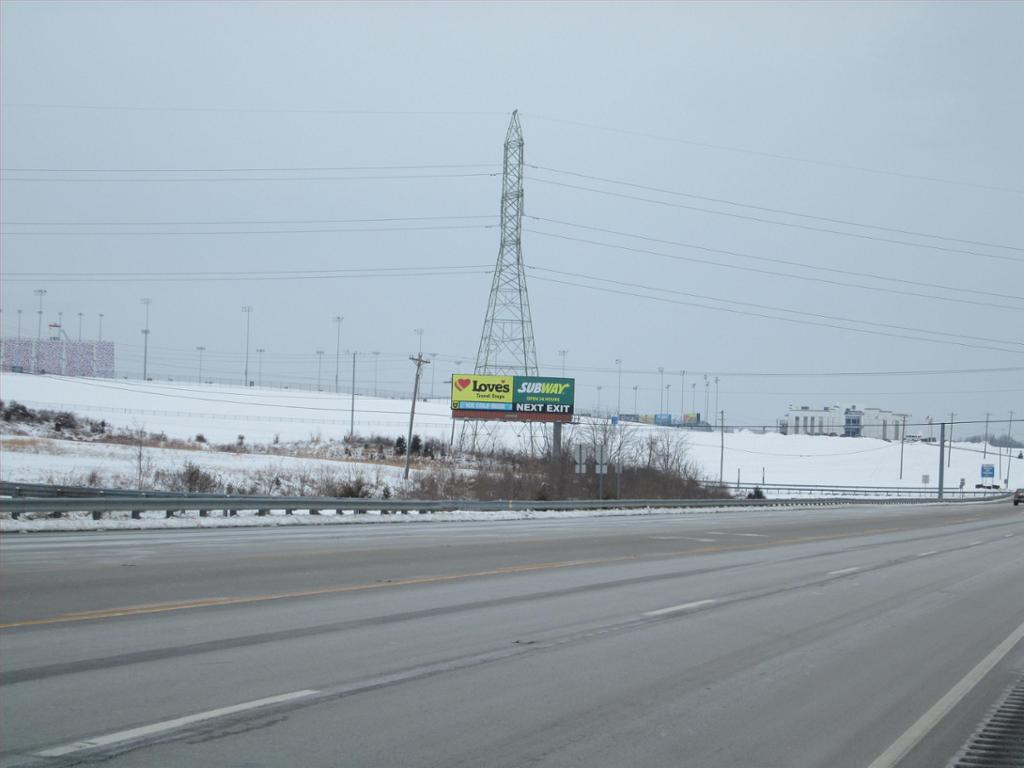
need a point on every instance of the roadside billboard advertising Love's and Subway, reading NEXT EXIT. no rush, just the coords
(513, 398)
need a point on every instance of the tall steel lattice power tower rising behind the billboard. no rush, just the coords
(507, 343)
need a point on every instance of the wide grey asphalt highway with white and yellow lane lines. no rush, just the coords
(816, 637)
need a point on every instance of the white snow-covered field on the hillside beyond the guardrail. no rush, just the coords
(222, 414)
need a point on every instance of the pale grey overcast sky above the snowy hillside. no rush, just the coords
(903, 116)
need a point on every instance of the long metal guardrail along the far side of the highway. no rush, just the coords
(264, 505)
